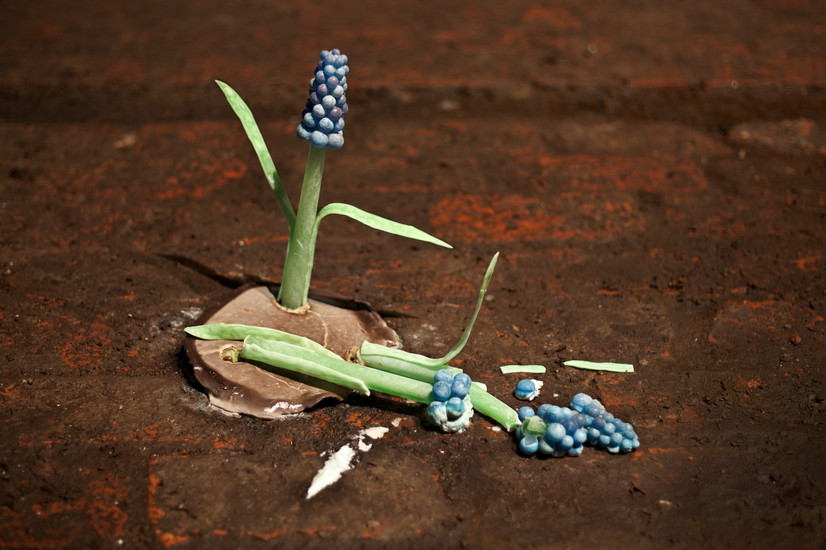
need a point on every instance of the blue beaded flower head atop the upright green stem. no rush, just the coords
(322, 121)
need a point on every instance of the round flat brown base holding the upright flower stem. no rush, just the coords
(337, 323)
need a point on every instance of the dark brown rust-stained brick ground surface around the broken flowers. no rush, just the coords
(653, 175)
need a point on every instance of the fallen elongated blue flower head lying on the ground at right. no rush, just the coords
(560, 431)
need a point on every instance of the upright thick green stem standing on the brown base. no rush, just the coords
(298, 267)
